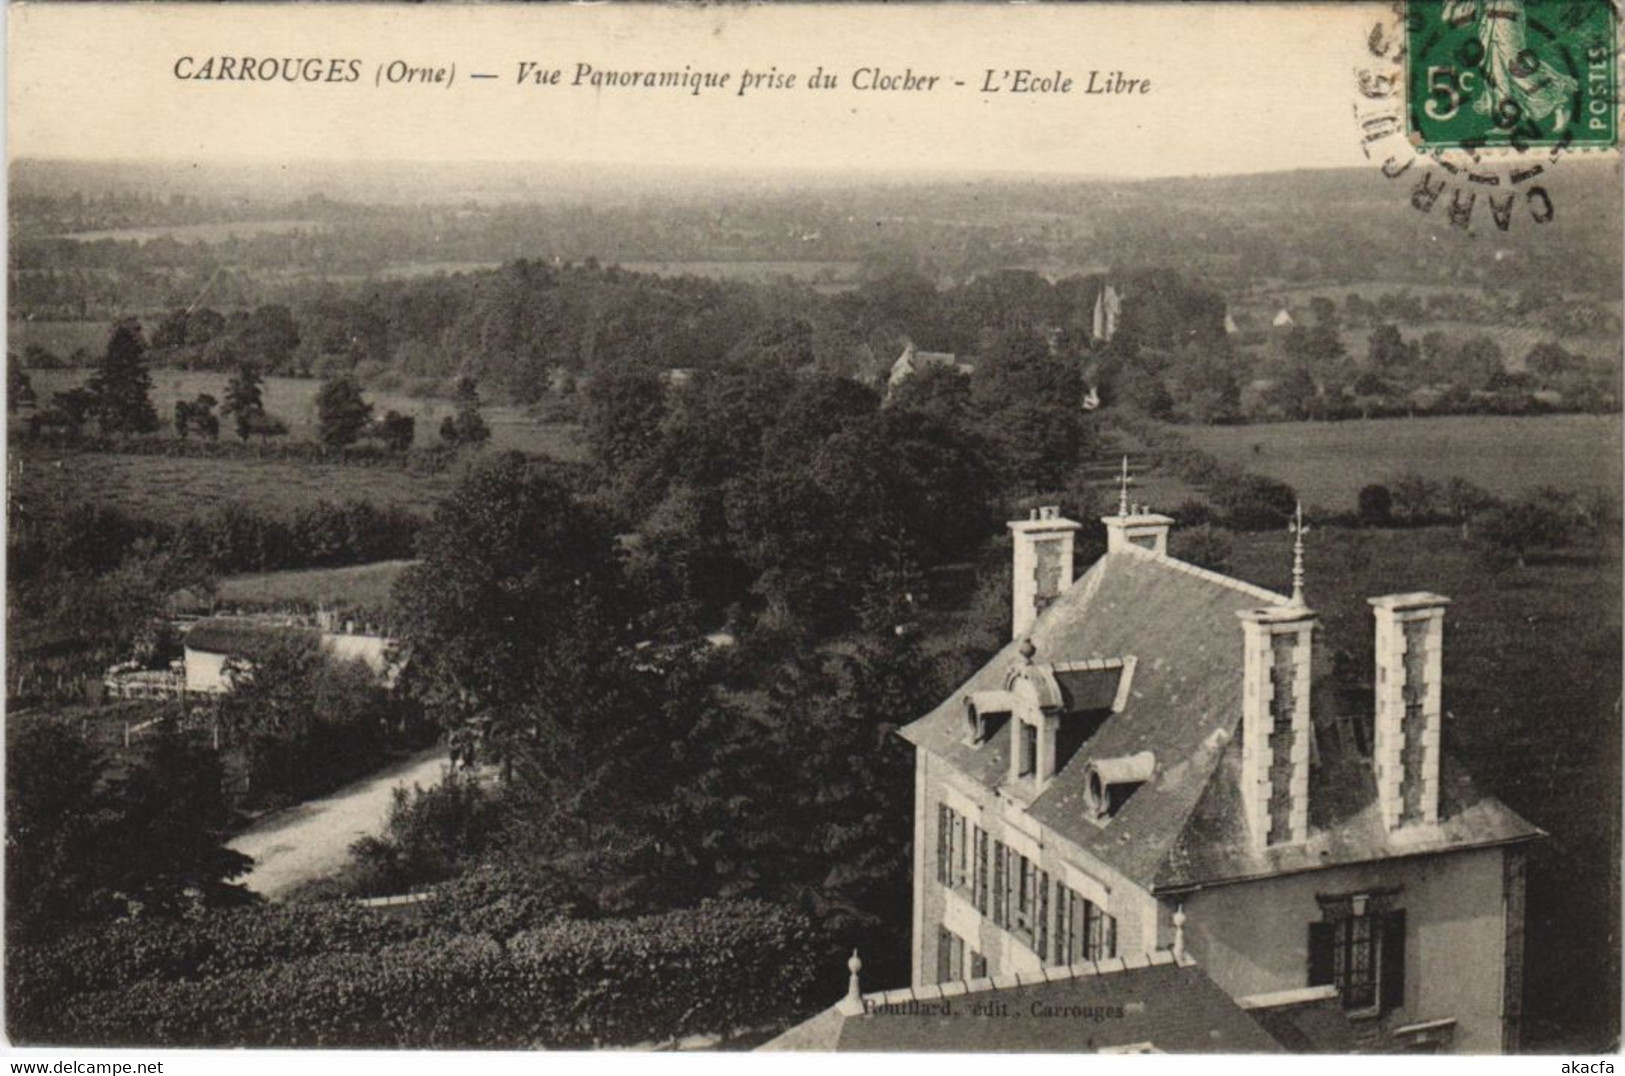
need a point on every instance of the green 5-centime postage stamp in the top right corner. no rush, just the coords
(1489, 74)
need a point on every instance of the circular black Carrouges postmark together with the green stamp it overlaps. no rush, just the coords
(1470, 103)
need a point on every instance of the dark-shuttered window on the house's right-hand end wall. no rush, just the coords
(1359, 947)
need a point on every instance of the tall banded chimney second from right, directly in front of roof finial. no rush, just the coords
(1276, 646)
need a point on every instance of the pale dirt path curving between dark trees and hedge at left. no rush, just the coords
(313, 840)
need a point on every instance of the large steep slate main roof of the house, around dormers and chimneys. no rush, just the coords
(1185, 827)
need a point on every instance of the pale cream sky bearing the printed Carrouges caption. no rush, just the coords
(1234, 89)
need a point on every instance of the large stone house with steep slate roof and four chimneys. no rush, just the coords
(1148, 760)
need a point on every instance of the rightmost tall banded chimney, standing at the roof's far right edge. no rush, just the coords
(1410, 703)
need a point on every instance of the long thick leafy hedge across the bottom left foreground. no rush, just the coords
(321, 979)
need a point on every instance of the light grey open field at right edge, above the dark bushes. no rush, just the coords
(1330, 462)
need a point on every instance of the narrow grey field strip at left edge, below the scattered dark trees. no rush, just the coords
(160, 487)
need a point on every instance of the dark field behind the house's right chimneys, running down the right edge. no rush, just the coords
(1532, 700)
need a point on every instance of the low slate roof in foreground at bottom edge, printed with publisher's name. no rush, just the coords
(1171, 1007)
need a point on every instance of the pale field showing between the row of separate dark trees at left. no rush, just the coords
(293, 401)
